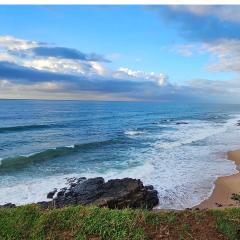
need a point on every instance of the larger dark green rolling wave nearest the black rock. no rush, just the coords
(21, 161)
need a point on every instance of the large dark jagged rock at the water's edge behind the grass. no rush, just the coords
(116, 193)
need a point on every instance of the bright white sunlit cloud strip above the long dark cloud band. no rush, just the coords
(11, 49)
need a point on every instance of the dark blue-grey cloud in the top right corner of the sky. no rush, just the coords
(202, 23)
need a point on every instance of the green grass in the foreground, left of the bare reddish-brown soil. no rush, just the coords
(30, 222)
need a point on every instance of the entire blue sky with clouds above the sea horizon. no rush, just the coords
(159, 53)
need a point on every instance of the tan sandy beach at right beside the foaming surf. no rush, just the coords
(225, 187)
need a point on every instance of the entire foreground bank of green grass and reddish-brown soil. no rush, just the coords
(78, 222)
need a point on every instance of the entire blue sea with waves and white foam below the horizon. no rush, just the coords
(178, 148)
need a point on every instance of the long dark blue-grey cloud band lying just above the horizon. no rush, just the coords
(15, 77)
